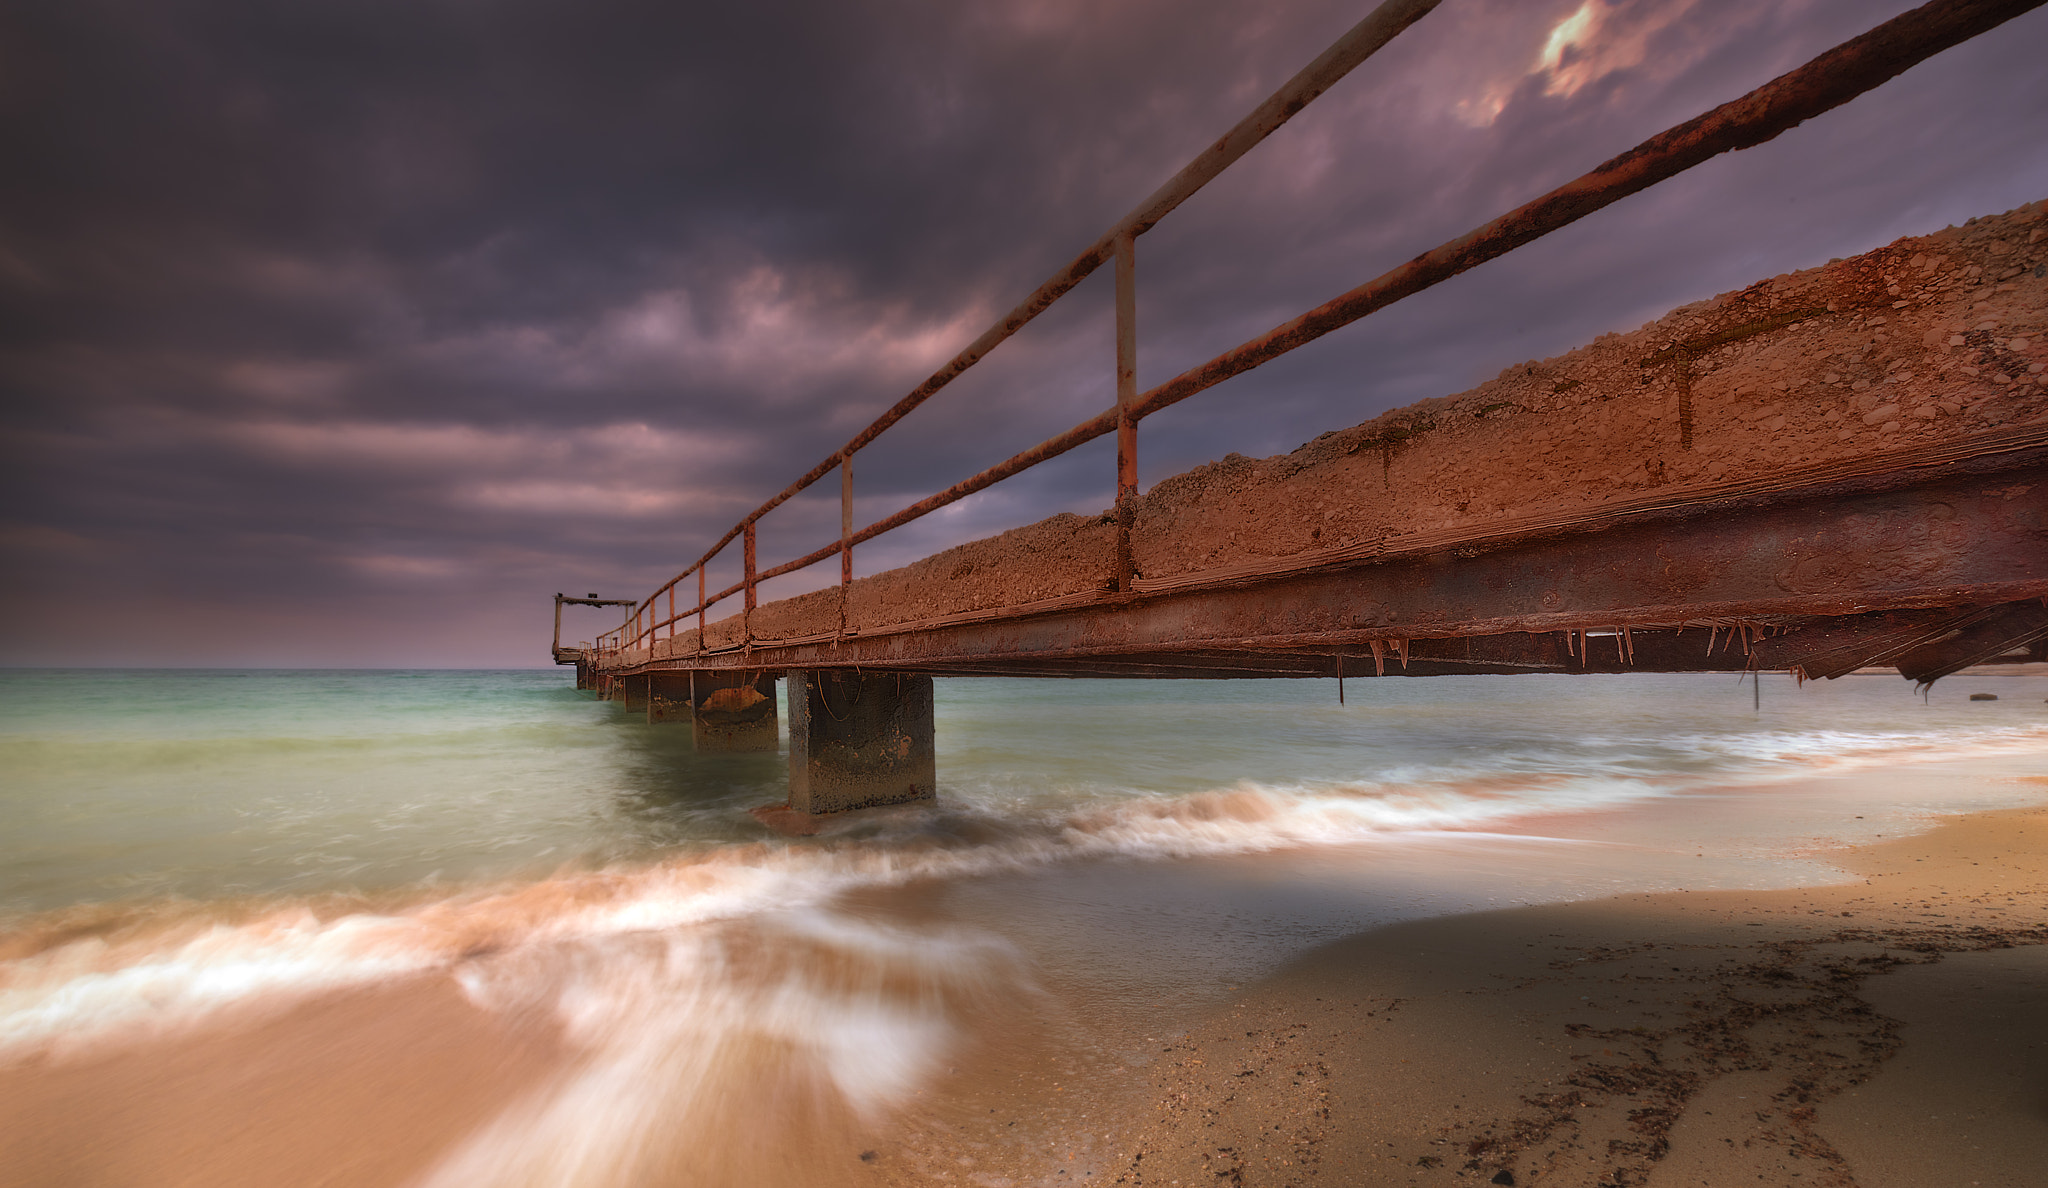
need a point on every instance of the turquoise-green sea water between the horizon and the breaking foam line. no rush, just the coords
(189, 783)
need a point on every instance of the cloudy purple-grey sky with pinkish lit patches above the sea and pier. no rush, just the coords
(349, 333)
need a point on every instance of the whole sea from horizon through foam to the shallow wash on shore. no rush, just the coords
(484, 929)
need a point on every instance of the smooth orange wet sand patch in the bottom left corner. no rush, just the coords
(353, 1089)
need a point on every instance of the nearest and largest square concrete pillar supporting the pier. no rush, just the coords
(859, 740)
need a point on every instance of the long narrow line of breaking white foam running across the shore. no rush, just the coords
(85, 990)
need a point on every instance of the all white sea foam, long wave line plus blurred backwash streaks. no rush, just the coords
(703, 988)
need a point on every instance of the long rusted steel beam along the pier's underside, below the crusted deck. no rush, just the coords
(1924, 542)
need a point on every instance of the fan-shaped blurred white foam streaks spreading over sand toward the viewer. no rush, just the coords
(798, 1019)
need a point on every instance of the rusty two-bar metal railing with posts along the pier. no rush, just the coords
(1822, 85)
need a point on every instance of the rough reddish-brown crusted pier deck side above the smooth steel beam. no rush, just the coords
(1932, 339)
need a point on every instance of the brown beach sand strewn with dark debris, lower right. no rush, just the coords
(1891, 1031)
